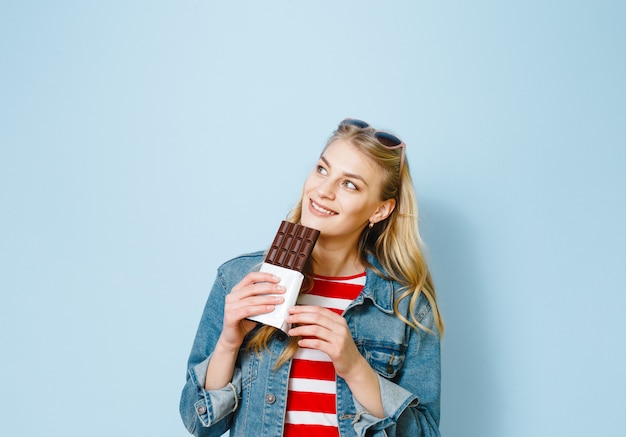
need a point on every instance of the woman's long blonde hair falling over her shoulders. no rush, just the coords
(395, 241)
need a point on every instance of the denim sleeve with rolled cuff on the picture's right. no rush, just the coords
(411, 400)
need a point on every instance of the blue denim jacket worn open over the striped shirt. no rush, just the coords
(253, 404)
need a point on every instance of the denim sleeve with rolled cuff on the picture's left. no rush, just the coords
(208, 413)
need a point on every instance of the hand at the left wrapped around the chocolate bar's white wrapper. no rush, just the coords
(257, 293)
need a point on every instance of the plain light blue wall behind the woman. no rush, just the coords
(145, 142)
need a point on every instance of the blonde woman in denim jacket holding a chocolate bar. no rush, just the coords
(362, 356)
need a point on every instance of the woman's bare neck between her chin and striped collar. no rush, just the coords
(336, 261)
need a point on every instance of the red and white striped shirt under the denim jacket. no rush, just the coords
(311, 400)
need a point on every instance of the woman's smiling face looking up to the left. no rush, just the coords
(341, 196)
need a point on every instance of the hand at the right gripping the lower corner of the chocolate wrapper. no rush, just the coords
(327, 331)
